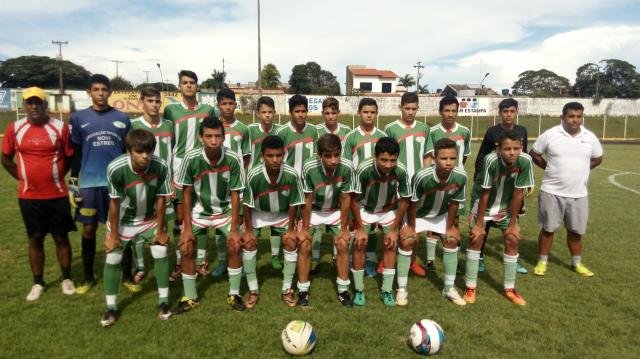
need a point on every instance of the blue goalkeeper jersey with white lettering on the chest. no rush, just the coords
(101, 137)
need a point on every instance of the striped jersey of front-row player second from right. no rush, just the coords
(433, 195)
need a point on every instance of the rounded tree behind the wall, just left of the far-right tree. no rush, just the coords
(541, 83)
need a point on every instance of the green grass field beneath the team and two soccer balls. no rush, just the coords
(566, 315)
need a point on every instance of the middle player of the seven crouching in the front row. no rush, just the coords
(327, 188)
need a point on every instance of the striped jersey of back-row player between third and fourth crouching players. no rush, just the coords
(298, 146)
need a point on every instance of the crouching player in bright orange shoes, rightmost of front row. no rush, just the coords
(497, 197)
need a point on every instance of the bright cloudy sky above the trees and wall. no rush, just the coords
(457, 42)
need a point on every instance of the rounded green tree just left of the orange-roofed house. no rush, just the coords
(310, 78)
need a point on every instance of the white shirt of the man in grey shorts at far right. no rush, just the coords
(568, 160)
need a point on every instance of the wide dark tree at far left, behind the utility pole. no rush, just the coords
(42, 71)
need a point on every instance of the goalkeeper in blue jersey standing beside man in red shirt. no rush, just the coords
(97, 134)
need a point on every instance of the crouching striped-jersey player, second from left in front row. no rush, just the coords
(211, 178)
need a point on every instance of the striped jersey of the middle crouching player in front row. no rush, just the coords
(326, 188)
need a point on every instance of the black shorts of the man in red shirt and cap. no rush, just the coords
(42, 216)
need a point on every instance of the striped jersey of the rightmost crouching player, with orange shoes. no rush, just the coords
(502, 181)
